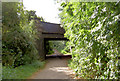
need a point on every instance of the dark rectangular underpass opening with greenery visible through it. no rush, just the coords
(54, 48)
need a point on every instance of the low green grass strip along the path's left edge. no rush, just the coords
(21, 72)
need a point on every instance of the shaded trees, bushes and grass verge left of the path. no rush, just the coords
(20, 56)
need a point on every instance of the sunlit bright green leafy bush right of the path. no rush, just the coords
(94, 33)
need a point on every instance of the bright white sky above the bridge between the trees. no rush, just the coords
(48, 9)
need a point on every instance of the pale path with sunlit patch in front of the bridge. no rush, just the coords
(55, 68)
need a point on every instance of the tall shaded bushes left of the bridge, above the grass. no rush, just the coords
(19, 35)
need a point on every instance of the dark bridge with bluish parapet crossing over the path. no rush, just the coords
(48, 31)
